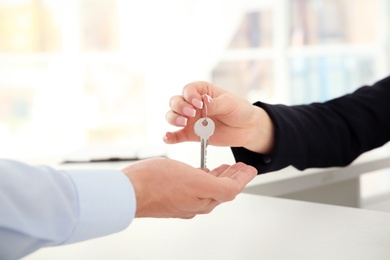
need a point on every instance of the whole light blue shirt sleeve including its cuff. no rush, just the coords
(41, 206)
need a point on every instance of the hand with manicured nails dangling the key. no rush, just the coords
(237, 122)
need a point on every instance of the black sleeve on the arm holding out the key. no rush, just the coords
(326, 134)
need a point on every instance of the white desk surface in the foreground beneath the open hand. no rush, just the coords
(250, 227)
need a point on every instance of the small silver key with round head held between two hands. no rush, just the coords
(204, 128)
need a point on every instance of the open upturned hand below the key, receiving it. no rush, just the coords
(167, 188)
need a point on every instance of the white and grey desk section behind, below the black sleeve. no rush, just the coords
(338, 186)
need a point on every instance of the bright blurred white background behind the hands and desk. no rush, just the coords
(99, 73)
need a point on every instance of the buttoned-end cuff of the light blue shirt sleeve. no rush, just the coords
(106, 202)
